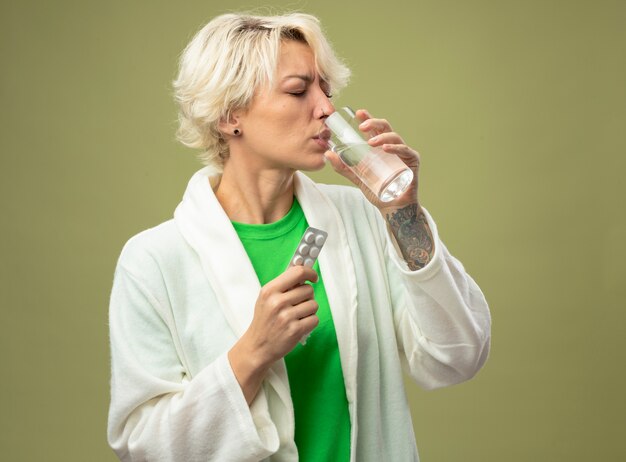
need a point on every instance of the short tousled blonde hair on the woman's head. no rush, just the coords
(228, 60)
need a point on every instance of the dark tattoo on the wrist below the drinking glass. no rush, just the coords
(411, 230)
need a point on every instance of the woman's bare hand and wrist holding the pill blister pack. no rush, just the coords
(285, 311)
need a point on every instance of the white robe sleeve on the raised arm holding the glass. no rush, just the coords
(441, 317)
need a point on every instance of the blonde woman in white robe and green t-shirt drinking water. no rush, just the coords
(205, 320)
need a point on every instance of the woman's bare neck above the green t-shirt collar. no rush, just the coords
(255, 196)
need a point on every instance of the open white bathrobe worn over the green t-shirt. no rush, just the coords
(185, 291)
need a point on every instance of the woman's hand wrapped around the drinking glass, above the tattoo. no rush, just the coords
(390, 142)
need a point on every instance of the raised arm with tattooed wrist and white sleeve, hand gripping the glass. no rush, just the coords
(441, 318)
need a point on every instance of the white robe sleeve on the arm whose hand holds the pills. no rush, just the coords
(156, 414)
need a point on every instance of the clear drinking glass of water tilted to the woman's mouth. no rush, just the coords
(384, 173)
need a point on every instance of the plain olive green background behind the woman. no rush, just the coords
(518, 109)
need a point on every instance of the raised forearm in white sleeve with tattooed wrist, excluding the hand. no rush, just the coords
(441, 316)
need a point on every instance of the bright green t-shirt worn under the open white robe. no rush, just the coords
(322, 427)
